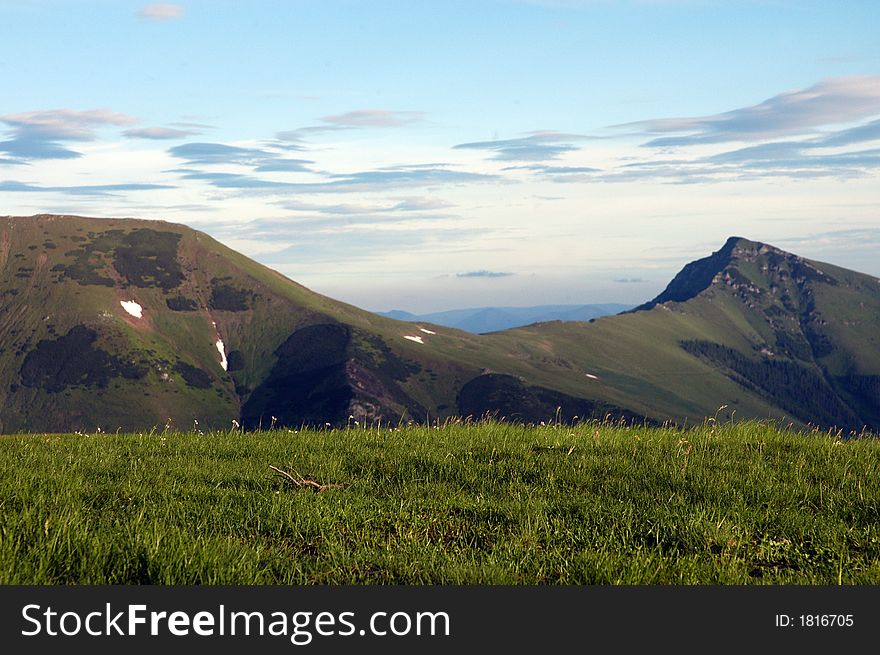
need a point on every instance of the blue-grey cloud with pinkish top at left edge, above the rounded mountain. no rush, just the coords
(41, 134)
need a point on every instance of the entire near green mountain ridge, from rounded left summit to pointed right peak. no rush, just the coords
(132, 325)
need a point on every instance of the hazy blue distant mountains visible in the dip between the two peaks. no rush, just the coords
(481, 320)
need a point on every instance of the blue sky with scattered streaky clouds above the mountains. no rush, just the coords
(442, 154)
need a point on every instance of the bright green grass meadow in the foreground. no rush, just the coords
(487, 503)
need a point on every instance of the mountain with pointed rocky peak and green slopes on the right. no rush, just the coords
(767, 333)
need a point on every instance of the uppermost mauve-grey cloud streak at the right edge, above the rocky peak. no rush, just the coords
(833, 101)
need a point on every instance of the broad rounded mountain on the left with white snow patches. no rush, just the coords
(131, 324)
